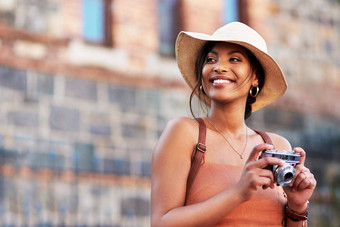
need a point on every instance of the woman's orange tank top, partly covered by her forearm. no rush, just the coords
(266, 208)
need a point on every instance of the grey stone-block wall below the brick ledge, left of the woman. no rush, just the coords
(69, 139)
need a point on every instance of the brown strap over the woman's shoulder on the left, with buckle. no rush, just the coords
(198, 155)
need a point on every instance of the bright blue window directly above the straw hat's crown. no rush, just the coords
(235, 10)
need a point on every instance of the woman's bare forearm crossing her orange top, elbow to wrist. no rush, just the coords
(206, 213)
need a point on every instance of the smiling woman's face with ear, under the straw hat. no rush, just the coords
(227, 72)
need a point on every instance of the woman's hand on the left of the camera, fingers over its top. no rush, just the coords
(254, 175)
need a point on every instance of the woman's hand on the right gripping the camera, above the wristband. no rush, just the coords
(301, 188)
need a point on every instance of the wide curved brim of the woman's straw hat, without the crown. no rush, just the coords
(188, 45)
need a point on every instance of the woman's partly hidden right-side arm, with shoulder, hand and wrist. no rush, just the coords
(302, 186)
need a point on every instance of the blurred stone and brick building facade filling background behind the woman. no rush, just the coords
(87, 86)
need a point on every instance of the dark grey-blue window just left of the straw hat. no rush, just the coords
(168, 26)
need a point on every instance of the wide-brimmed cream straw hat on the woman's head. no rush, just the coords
(188, 45)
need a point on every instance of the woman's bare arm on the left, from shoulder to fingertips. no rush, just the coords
(170, 168)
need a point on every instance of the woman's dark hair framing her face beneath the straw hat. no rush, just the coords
(201, 57)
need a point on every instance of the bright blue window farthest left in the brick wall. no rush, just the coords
(97, 21)
